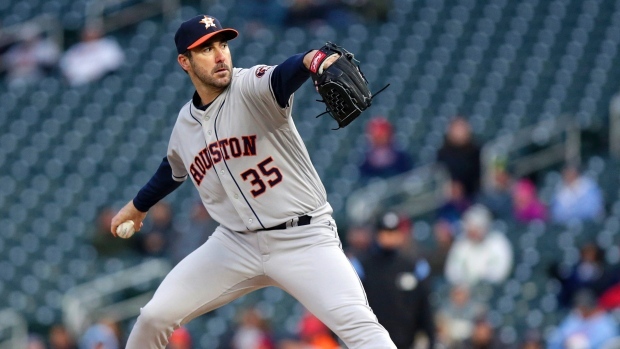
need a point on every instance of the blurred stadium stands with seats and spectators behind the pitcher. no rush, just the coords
(489, 169)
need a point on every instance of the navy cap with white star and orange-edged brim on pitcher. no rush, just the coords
(194, 32)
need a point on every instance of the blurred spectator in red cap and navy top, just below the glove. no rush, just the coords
(383, 159)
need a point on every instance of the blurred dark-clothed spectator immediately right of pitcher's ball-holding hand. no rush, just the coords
(155, 237)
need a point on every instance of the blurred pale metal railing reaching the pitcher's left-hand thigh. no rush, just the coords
(85, 303)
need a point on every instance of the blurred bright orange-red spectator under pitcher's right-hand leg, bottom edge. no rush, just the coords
(313, 334)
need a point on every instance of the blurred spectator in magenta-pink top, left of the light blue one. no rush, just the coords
(527, 206)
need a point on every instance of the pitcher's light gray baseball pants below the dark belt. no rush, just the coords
(305, 261)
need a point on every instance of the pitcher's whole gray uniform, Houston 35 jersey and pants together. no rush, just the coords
(253, 173)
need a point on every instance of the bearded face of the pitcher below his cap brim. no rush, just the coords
(211, 64)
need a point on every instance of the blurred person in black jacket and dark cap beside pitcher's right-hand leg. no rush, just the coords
(397, 286)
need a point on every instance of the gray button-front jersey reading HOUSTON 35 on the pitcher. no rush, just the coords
(246, 158)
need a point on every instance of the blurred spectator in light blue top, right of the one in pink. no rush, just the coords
(576, 198)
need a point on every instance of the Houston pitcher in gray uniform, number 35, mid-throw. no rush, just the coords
(237, 142)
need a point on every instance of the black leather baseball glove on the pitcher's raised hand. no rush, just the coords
(342, 85)
